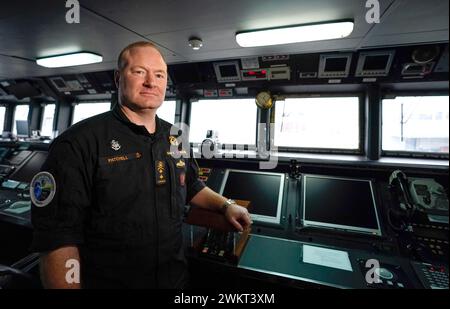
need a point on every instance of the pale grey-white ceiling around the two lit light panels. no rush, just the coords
(32, 29)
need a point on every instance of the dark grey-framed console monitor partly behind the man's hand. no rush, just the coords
(263, 189)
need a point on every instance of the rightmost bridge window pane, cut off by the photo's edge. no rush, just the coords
(416, 124)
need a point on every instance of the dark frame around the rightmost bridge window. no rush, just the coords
(408, 154)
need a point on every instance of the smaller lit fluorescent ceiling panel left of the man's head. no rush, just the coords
(69, 60)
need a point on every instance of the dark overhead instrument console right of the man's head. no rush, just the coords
(241, 76)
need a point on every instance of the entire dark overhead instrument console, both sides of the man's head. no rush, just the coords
(393, 65)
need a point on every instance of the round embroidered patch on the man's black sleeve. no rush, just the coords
(42, 189)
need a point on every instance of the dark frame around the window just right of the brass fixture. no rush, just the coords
(362, 125)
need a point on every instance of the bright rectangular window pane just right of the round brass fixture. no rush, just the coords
(326, 122)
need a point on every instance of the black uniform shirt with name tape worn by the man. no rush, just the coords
(119, 197)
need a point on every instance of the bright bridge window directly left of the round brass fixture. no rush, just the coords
(234, 119)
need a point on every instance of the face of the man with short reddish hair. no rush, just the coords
(142, 81)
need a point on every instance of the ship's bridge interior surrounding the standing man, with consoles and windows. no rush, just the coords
(338, 147)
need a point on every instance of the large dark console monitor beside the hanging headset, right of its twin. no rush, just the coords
(346, 204)
